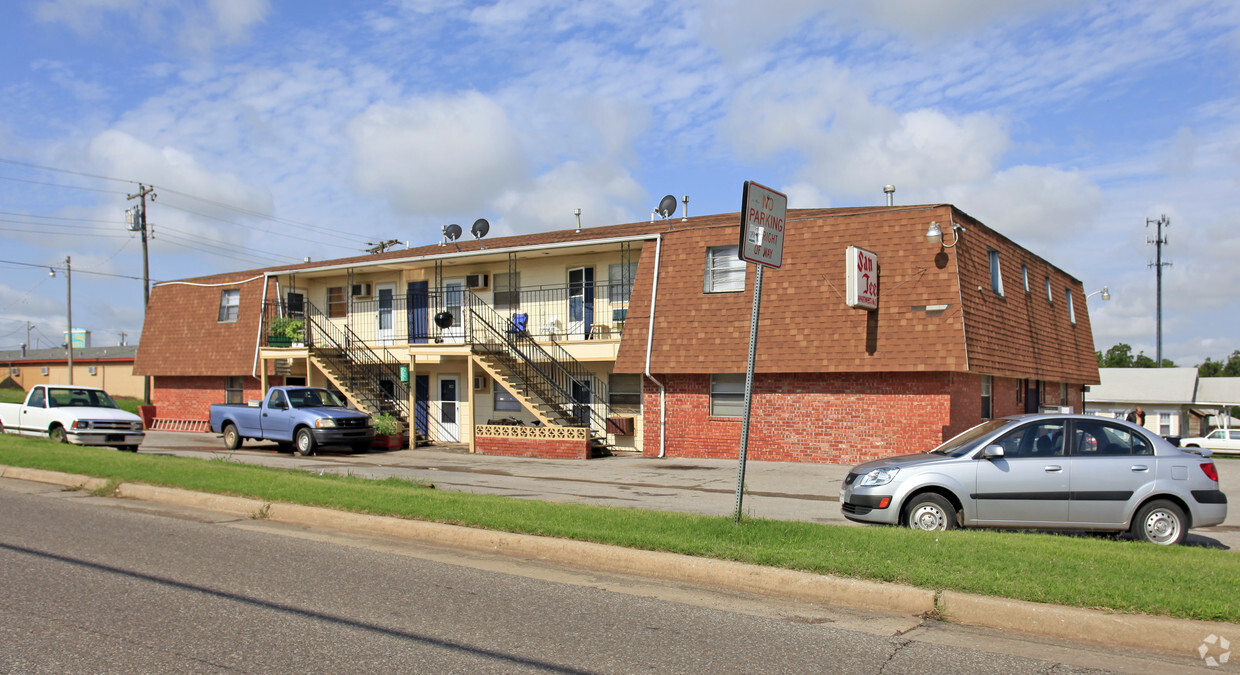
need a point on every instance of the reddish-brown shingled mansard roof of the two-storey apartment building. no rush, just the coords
(937, 310)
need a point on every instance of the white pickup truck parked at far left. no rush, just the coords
(85, 416)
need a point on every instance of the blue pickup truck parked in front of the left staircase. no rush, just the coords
(301, 419)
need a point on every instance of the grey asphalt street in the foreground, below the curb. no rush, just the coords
(95, 585)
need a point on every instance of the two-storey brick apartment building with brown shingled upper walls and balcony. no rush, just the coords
(634, 338)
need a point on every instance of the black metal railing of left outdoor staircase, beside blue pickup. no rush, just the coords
(364, 370)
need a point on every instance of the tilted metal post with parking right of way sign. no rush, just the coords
(763, 214)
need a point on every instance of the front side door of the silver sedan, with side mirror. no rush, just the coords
(1029, 486)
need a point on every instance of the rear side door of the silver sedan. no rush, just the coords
(1112, 466)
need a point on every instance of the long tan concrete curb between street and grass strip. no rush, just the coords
(1182, 637)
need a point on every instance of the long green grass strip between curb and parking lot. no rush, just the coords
(1079, 571)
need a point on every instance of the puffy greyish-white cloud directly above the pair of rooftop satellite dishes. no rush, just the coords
(437, 156)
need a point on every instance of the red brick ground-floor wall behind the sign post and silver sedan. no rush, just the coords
(817, 418)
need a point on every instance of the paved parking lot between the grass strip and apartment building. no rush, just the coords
(779, 491)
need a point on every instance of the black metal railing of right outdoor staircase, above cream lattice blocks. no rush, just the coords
(546, 373)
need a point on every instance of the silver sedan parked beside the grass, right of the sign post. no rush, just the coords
(1050, 472)
